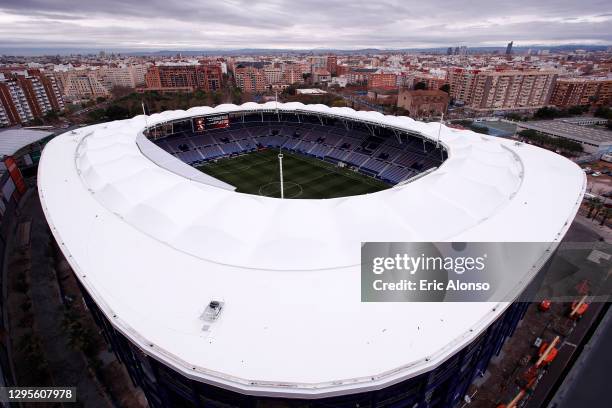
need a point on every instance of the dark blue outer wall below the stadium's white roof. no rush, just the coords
(443, 387)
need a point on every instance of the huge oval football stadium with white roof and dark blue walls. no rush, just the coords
(214, 292)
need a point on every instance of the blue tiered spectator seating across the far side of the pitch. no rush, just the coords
(385, 156)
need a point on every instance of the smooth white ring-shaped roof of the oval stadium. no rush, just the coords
(153, 246)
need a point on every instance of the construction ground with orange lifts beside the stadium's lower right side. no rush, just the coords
(534, 362)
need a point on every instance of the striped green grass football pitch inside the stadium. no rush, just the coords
(304, 177)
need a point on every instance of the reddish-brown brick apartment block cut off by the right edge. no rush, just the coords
(582, 91)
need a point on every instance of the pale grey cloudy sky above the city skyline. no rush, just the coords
(302, 24)
